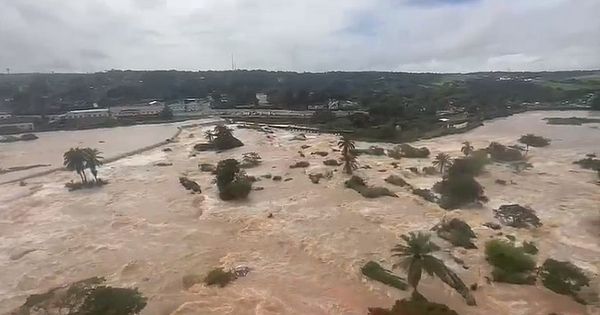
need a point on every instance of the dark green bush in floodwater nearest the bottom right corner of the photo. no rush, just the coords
(563, 277)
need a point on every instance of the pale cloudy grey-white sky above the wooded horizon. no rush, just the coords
(300, 35)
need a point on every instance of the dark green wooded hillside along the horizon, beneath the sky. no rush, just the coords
(381, 92)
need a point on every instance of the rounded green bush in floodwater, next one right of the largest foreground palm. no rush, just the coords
(511, 264)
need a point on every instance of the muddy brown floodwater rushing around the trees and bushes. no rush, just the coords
(145, 230)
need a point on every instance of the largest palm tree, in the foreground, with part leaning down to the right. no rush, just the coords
(416, 255)
